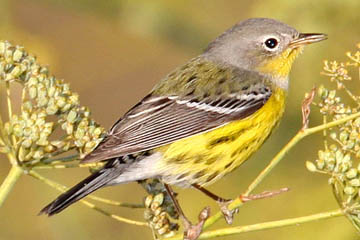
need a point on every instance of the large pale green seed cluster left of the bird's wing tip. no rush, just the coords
(51, 120)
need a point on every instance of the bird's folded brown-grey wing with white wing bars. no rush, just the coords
(160, 120)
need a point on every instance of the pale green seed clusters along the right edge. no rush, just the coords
(340, 157)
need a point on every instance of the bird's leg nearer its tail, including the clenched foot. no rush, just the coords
(191, 232)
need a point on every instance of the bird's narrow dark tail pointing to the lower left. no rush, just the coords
(88, 185)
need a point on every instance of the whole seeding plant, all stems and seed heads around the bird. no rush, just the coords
(52, 130)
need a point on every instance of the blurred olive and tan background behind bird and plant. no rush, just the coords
(112, 53)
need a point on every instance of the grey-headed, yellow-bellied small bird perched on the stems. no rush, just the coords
(205, 118)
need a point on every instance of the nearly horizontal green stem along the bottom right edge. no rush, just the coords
(266, 225)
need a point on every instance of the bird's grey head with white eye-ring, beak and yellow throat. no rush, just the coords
(260, 44)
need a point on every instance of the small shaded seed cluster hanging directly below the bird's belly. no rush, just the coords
(159, 209)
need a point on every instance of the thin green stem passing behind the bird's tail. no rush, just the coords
(88, 204)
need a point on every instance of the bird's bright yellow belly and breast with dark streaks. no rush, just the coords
(204, 158)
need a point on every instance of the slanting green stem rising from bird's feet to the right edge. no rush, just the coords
(278, 157)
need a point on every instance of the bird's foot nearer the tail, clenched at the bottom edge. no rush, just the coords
(192, 232)
